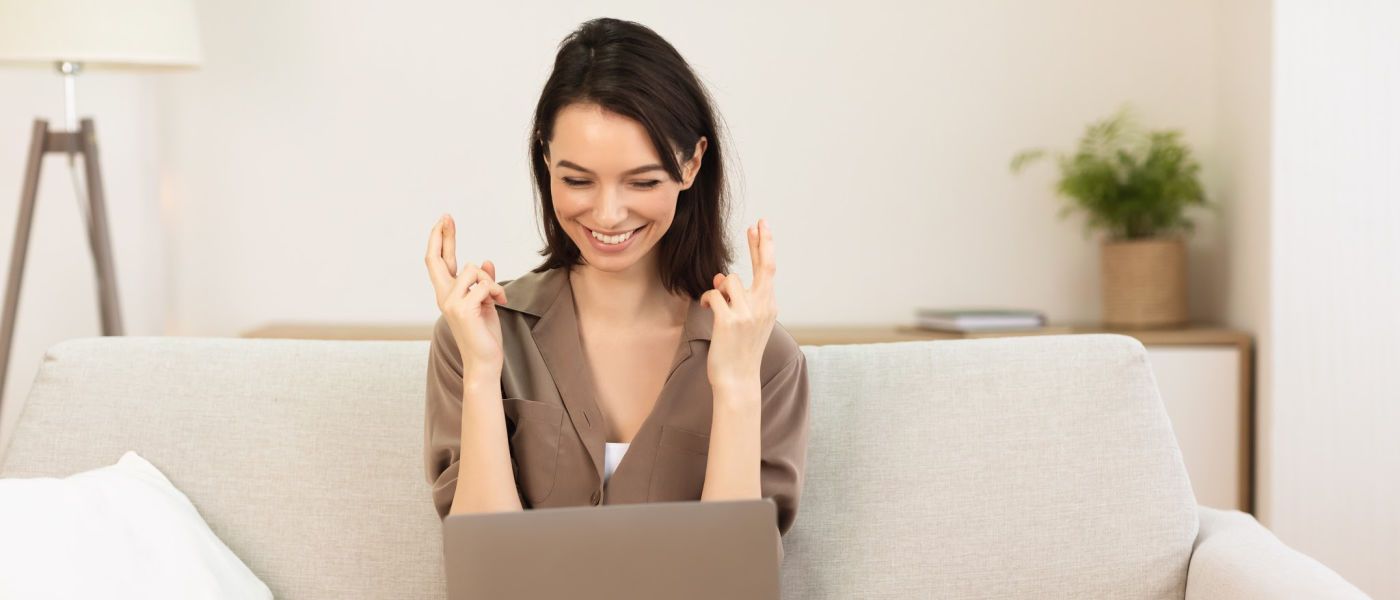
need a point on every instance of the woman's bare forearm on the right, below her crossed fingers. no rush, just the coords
(733, 466)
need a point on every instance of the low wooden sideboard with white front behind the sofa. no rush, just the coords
(1203, 373)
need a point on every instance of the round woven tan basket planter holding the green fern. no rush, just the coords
(1144, 283)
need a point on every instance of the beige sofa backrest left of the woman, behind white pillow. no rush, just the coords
(306, 457)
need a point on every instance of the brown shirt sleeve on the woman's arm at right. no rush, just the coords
(785, 438)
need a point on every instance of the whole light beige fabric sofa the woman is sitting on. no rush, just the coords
(1004, 468)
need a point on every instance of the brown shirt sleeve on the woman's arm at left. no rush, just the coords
(443, 417)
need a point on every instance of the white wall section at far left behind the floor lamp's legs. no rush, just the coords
(59, 296)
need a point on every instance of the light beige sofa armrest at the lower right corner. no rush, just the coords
(1235, 557)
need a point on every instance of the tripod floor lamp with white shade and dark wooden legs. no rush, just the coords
(75, 36)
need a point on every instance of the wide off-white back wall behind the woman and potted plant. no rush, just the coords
(321, 141)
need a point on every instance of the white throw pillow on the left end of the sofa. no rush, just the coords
(117, 532)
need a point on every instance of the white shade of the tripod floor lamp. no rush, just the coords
(142, 34)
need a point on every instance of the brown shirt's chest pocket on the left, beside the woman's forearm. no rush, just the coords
(534, 429)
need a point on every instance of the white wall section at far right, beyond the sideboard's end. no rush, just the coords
(1336, 287)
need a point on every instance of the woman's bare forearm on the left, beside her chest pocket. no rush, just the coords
(485, 482)
